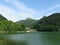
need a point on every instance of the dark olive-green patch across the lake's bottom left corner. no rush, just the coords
(6, 41)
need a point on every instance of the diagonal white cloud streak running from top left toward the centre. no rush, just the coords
(23, 8)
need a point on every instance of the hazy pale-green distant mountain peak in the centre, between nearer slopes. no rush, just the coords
(27, 22)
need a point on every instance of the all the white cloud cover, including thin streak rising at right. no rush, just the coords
(20, 11)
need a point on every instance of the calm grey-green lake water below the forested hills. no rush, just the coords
(37, 38)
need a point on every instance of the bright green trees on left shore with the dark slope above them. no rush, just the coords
(6, 25)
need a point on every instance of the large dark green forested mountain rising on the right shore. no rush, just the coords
(48, 23)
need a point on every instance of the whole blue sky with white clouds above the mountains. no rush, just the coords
(16, 10)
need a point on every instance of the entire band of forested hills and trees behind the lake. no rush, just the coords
(47, 23)
